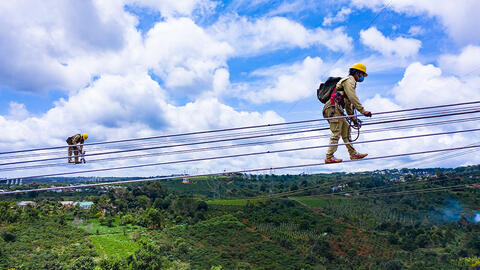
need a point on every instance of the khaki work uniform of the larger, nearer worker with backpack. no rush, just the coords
(339, 127)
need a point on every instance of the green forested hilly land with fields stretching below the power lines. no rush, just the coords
(389, 219)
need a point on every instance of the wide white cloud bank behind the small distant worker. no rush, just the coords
(124, 106)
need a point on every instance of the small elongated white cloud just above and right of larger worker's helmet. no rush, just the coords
(401, 47)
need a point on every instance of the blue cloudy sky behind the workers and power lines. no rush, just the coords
(135, 68)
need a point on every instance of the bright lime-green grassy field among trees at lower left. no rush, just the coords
(114, 245)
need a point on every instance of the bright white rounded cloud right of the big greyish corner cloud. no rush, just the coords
(183, 54)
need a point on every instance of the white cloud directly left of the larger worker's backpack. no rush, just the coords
(284, 83)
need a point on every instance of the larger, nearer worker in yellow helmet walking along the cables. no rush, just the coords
(344, 98)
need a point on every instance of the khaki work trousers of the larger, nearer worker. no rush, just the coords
(339, 128)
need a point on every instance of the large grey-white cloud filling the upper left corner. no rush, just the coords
(41, 41)
